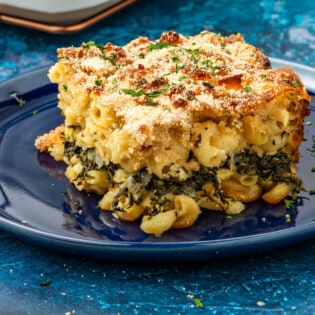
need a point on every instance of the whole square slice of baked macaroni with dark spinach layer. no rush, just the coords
(172, 109)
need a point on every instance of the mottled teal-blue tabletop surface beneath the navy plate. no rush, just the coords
(35, 281)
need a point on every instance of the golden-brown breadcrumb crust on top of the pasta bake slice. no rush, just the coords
(207, 64)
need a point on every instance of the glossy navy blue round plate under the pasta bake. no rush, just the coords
(39, 205)
